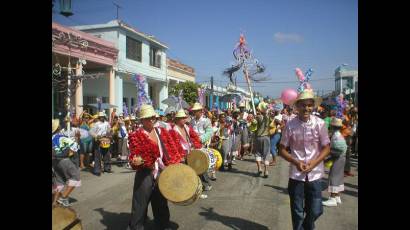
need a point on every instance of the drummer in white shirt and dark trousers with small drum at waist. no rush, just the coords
(101, 132)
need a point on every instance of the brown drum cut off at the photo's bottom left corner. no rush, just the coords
(65, 218)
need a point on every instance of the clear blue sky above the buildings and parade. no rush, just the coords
(283, 35)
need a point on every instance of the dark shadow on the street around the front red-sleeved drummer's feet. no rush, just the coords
(120, 221)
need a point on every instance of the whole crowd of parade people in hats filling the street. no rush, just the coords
(307, 133)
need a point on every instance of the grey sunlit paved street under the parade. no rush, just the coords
(238, 200)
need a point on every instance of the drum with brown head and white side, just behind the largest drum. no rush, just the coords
(201, 160)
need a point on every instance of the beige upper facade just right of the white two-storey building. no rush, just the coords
(178, 72)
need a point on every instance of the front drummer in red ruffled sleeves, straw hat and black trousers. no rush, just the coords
(152, 149)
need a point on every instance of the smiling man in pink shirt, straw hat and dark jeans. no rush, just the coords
(307, 137)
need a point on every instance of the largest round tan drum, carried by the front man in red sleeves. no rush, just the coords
(179, 184)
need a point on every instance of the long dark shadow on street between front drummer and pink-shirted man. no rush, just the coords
(231, 222)
